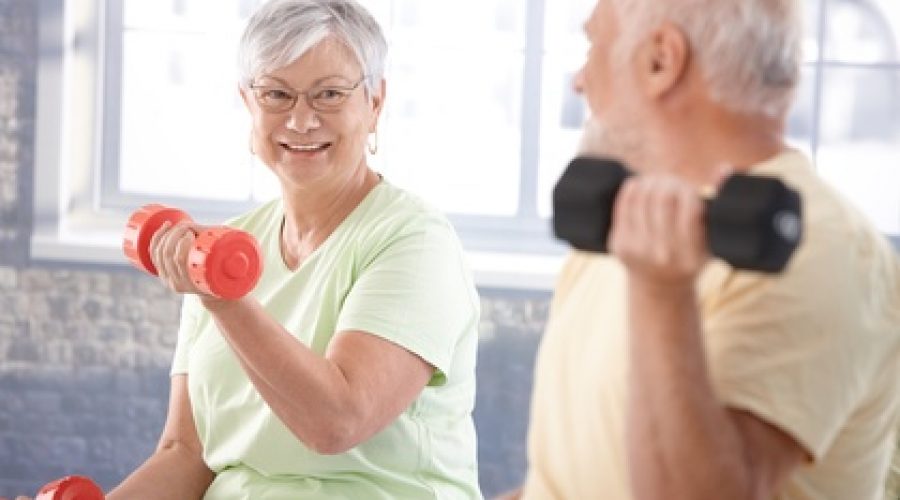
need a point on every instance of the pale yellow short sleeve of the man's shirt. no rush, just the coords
(783, 349)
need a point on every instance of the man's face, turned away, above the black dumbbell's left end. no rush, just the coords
(608, 85)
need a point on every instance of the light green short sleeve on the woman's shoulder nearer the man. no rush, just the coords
(417, 293)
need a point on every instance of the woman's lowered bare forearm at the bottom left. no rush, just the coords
(173, 472)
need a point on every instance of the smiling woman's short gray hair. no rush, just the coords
(281, 31)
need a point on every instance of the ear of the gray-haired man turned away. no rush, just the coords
(663, 60)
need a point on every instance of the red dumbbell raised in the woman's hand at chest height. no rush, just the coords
(224, 261)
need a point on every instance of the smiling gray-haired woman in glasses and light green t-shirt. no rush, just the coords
(348, 372)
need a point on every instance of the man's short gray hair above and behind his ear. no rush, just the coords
(750, 51)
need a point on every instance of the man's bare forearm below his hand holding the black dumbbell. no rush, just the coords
(681, 442)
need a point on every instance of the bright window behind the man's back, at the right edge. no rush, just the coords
(858, 96)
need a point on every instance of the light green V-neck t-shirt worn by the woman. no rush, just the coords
(393, 268)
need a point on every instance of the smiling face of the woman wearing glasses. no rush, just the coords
(312, 117)
